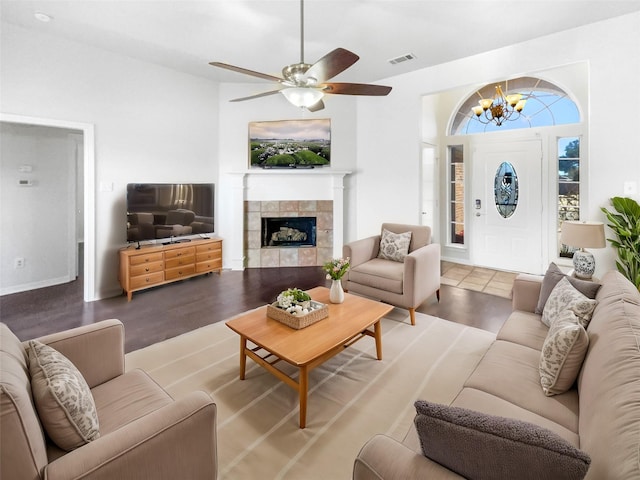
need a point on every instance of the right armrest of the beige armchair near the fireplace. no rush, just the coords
(422, 272)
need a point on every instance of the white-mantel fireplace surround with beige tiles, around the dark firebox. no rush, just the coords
(298, 193)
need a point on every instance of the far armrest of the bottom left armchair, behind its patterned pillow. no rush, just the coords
(97, 349)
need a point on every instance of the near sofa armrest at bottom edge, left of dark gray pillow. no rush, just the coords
(385, 458)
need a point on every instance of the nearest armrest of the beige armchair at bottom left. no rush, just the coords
(176, 441)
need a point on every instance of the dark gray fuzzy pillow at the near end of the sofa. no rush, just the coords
(480, 446)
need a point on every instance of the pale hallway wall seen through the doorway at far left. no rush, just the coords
(37, 219)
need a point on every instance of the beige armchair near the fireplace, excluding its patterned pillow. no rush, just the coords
(405, 284)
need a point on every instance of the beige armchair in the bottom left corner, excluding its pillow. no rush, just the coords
(143, 432)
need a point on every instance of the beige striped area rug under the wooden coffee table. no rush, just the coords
(352, 397)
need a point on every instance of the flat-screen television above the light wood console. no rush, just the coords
(169, 211)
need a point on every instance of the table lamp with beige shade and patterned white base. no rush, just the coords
(583, 235)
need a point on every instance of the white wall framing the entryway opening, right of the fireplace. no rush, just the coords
(389, 134)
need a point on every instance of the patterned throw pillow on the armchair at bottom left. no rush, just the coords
(62, 397)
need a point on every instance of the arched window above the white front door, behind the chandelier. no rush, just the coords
(547, 105)
